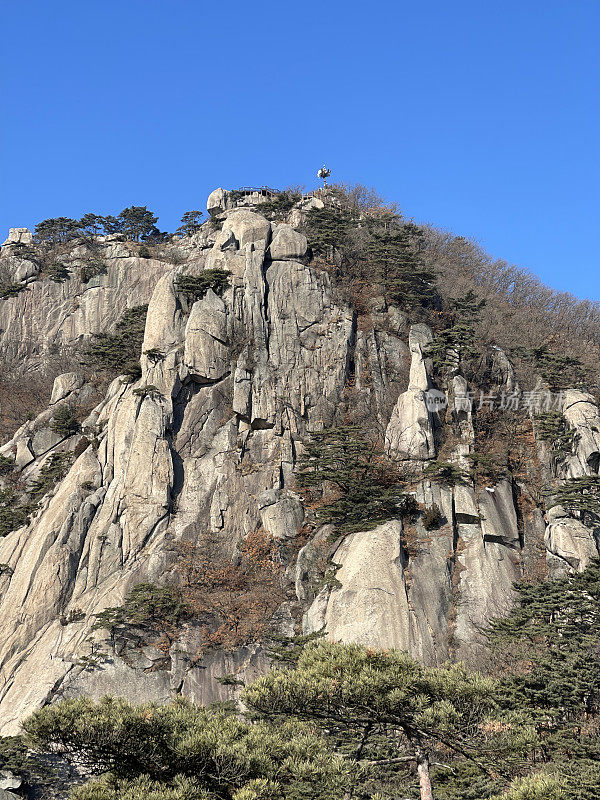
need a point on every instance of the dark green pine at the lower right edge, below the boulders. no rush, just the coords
(547, 651)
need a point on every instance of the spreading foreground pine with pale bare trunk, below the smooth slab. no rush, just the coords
(380, 707)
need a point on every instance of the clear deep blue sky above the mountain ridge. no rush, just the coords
(480, 116)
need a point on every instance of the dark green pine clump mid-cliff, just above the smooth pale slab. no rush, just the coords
(367, 487)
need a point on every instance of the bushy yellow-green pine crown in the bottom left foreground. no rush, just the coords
(185, 752)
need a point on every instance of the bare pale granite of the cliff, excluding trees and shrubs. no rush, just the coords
(205, 444)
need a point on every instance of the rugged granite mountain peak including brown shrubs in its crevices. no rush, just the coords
(252, 344)
